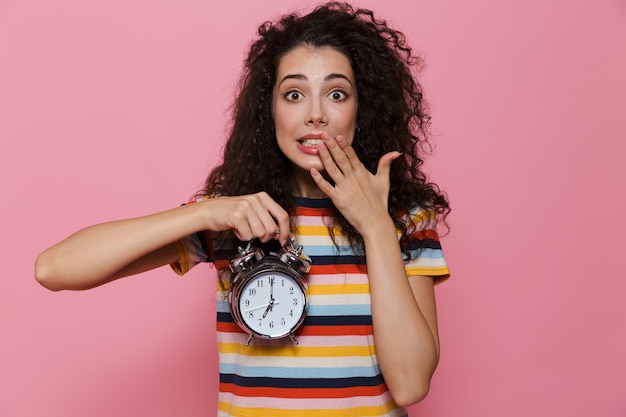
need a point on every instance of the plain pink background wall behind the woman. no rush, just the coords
(116, 108)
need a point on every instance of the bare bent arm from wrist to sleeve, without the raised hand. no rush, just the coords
(404, 317)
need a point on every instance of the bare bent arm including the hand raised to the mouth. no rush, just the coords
(403, 309)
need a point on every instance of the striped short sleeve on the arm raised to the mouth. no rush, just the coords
(422, 249)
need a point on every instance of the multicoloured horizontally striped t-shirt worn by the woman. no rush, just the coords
(333, 370)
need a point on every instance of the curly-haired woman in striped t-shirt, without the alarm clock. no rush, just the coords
(323, 150)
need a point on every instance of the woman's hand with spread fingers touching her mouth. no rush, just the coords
(362, 197)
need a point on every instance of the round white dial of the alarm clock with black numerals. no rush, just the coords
(272, 304)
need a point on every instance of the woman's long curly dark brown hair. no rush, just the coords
(392, 115)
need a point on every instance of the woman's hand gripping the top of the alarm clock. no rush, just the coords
(248, 216)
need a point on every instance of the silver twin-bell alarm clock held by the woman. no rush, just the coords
(269, 296)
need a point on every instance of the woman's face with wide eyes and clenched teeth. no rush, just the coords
(315, 92)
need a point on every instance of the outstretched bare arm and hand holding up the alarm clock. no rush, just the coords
(104, 252)
